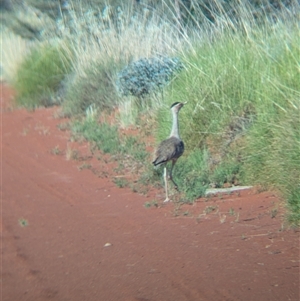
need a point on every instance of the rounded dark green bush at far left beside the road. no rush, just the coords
(40, 74)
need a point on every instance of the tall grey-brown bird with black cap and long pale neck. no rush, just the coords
(171, 148)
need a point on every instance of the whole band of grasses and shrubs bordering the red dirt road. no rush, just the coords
(236, 64)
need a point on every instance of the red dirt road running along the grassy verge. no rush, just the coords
(57, 219)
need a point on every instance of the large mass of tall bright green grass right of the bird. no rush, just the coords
(243, 91)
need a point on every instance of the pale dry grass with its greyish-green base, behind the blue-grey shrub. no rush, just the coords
(104, 42)
